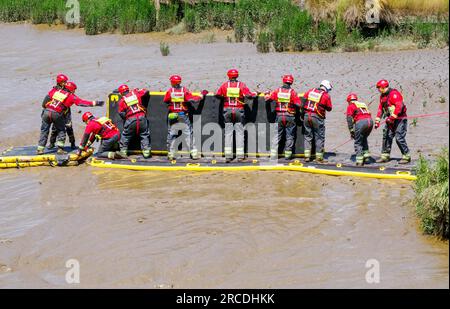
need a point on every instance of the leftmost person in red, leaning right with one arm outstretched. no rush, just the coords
(55, 104)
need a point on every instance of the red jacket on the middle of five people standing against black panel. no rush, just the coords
(234, 93)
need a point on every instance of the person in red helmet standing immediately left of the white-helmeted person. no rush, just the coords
(287, 102)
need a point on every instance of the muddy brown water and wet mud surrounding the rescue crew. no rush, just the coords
(211, 230)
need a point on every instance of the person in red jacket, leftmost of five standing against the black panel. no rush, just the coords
(134, 113)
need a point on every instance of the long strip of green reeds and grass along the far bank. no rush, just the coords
(279, 25)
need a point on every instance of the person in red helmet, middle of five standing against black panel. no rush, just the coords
(234, 93)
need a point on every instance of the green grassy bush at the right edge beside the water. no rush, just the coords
(432, 198)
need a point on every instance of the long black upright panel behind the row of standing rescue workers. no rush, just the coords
(257, 111)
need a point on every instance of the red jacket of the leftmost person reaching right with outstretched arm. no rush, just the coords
(61, 100)
